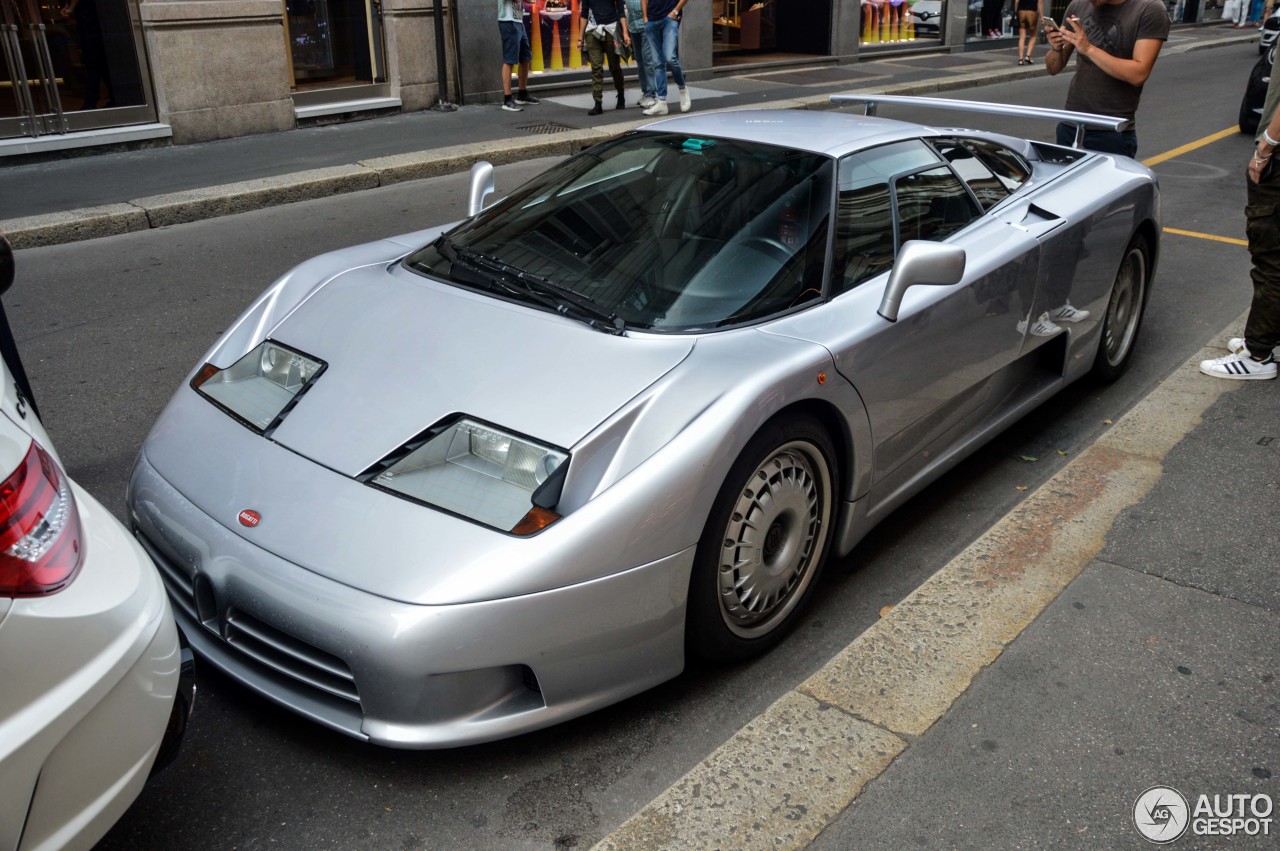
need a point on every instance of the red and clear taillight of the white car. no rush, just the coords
(40, 534)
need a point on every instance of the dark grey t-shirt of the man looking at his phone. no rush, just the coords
(1114, 29)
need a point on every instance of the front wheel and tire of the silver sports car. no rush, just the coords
(765, 543)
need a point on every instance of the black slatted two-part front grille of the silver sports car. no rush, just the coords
(257, 643)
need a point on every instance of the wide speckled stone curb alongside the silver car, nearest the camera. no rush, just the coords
(784, 777)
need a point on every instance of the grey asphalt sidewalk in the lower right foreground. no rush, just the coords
(1156, 666)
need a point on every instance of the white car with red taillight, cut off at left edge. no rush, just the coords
(95, 683)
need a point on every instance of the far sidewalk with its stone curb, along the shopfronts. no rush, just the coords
(117, 193)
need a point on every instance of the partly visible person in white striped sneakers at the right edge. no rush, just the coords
(1254, 355)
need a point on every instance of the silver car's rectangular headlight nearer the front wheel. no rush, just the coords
(484, 474)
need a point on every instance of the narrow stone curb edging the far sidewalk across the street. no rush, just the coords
(208, 203)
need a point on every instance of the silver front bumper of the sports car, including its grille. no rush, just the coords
(404, 675)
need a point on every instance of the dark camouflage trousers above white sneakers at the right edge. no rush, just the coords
(1263, 228)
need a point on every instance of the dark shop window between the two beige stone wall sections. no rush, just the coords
(335, 43)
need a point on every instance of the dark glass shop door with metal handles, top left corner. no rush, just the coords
(70, 67)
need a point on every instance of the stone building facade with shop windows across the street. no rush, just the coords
(100, 72)
